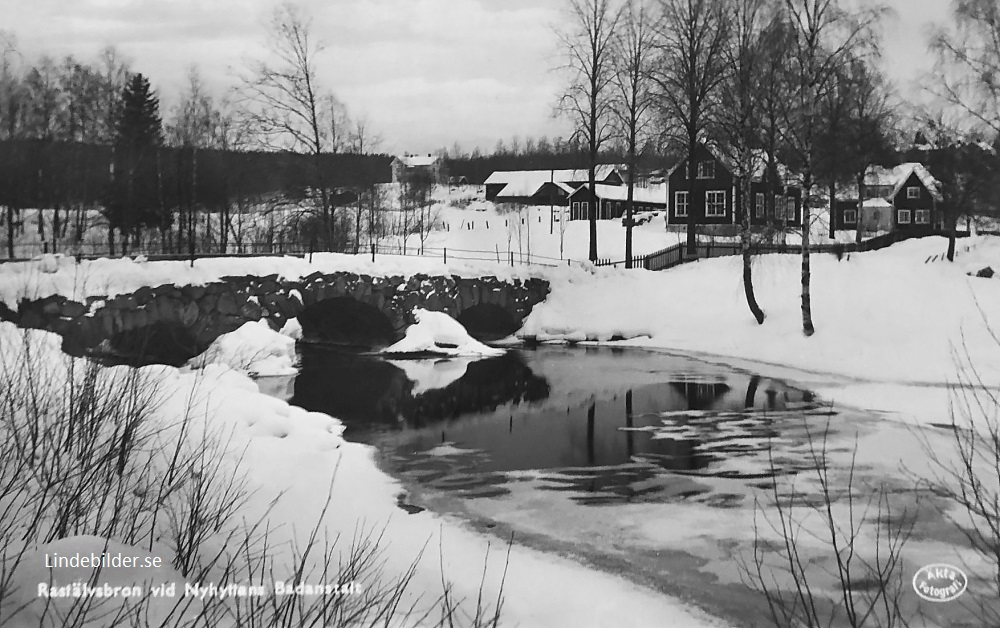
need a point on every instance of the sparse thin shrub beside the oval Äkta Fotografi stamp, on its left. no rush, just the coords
(857, 527)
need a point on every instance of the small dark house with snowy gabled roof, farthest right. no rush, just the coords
(906, 197)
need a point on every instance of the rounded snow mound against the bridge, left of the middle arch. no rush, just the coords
(254, 348)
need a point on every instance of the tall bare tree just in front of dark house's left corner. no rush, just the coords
(690, 72)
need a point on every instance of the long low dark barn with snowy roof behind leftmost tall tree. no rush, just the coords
(544, 187)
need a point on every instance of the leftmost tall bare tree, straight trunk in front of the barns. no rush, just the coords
(587, 44)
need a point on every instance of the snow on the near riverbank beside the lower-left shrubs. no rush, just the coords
(292, 458)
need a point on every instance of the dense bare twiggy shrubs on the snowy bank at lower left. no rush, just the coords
(84, 450)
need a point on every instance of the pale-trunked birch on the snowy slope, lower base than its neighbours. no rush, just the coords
(824, 33)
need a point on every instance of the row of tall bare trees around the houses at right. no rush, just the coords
(781, 82)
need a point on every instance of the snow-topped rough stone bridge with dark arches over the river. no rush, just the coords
(170, 324)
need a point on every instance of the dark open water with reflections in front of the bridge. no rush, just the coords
(605, 424)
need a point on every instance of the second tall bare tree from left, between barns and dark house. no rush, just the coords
(633, 54)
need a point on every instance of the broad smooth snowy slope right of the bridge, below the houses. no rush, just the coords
(881, 316)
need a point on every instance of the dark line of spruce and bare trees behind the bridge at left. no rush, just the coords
(83, 137)
